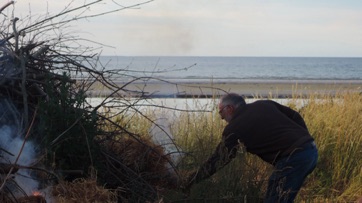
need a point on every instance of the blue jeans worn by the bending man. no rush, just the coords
(290, 173)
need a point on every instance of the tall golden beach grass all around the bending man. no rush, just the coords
(335, 121)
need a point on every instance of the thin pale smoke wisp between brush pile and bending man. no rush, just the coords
(161, 134)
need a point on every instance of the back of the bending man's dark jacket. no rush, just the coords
(267, 129)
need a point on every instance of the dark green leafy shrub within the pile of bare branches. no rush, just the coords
(66, 130)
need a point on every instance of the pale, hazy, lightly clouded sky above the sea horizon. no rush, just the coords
(316, 28)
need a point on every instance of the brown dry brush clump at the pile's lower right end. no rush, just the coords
(137, 168)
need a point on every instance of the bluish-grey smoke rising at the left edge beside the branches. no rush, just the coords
(11, 149)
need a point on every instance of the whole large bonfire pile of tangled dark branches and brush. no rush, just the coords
(75, 155)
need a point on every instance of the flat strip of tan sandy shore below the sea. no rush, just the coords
(279, 89)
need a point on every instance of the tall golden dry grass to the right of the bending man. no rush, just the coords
(336, 124)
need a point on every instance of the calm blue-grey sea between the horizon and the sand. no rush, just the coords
(198, 69)
